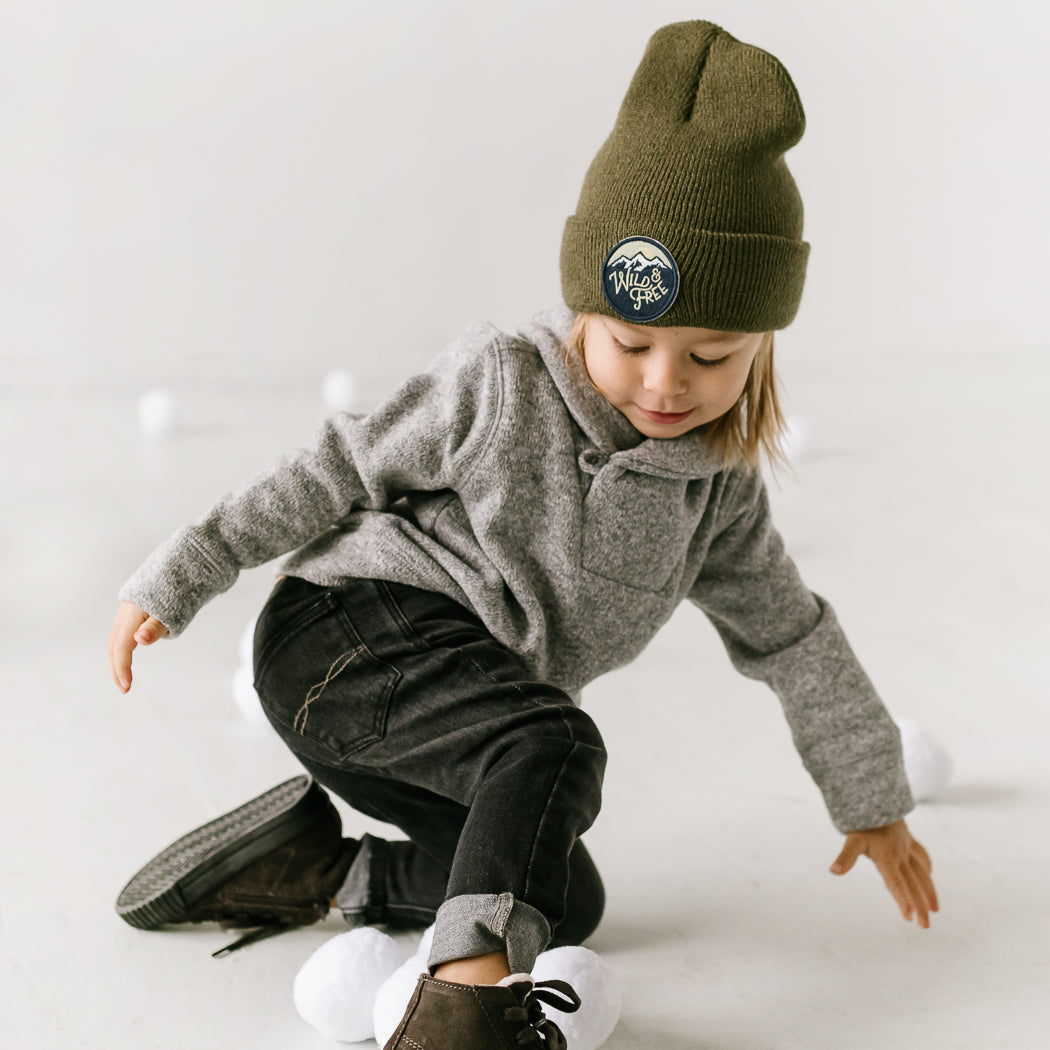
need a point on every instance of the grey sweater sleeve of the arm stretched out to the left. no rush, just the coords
(425, 438)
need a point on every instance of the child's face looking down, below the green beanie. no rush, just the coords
(667, 381)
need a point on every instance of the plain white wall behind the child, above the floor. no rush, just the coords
(263, 187)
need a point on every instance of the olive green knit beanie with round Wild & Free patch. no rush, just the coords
(689, 216)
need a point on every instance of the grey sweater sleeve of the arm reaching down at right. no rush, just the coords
(778, 632)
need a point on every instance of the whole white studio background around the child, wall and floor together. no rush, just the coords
(230, 198)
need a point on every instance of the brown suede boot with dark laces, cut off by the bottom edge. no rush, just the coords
(443, 1016)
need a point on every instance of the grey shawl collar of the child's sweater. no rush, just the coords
(605, 426)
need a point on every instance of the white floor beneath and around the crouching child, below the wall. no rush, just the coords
(921, 511)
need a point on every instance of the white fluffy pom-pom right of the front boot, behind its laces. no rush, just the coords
(598, 990)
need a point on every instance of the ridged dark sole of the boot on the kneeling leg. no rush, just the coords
(163, 892)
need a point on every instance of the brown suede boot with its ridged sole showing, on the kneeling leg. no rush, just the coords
(276, 863)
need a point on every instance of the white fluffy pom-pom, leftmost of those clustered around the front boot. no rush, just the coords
(337, 989)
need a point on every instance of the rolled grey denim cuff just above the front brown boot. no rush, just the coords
(477, 925)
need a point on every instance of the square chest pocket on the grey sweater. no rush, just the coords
(637, 528)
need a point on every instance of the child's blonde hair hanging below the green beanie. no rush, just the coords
(753, 426)
